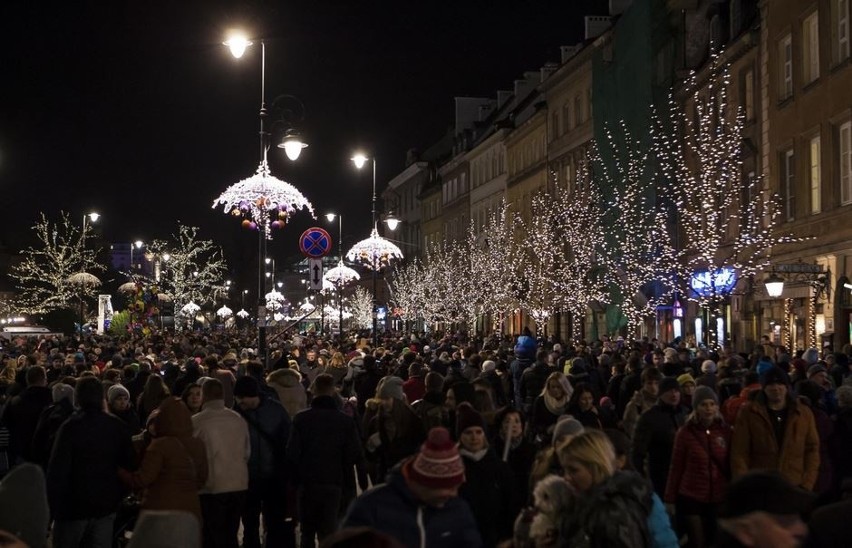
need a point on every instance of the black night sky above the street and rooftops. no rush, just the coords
(136, 110)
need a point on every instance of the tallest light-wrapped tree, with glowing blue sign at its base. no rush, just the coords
(727, 221)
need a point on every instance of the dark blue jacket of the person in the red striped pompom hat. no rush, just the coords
(392, 509)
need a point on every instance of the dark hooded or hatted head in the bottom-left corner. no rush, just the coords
(24, 514)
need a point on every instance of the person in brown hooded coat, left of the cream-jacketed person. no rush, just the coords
(174, 466)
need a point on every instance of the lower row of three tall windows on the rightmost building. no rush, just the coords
(842, 158)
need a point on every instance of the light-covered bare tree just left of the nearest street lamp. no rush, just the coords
(191, 269)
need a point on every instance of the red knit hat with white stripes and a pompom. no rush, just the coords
(438, 464)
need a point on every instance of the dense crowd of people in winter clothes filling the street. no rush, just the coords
(188, 439)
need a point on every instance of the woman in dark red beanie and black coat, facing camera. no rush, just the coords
(489, 483)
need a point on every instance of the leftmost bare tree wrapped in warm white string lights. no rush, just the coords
(44, 276)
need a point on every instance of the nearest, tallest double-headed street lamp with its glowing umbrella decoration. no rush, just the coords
(264, 202)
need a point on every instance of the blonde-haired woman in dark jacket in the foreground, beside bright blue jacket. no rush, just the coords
(617, 504)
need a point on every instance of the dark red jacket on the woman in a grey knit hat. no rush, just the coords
(700, 465)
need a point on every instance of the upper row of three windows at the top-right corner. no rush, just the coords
(810, 47)
